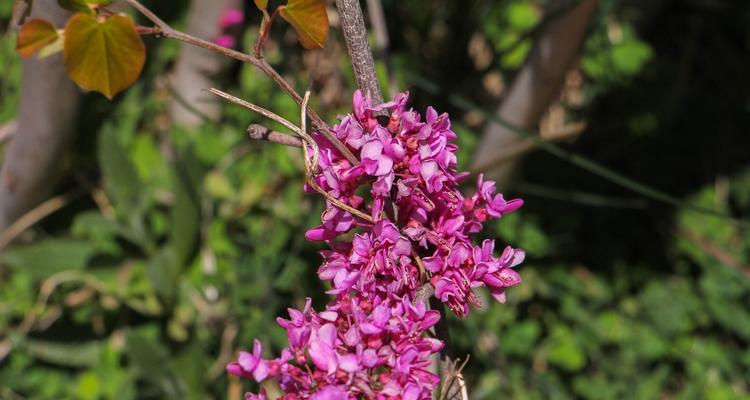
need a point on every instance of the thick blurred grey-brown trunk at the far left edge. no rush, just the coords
(49, 104)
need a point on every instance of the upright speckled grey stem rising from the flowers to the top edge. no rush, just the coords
(355, 34)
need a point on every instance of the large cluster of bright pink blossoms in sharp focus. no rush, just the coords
(373, 338)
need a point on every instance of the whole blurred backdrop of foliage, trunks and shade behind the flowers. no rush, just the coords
(144, 241)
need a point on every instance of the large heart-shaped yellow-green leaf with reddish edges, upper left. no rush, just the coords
(105, 55)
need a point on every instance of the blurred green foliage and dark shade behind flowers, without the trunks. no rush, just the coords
(200, 247)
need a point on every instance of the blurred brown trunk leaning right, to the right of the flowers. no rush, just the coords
(537, 84)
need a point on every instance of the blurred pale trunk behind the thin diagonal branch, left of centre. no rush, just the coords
(197, 68)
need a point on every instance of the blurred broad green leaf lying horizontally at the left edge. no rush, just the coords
(47, 257)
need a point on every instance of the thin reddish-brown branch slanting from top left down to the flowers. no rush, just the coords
(167, 31)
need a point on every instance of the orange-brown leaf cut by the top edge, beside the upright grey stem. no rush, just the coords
(309, 19)
